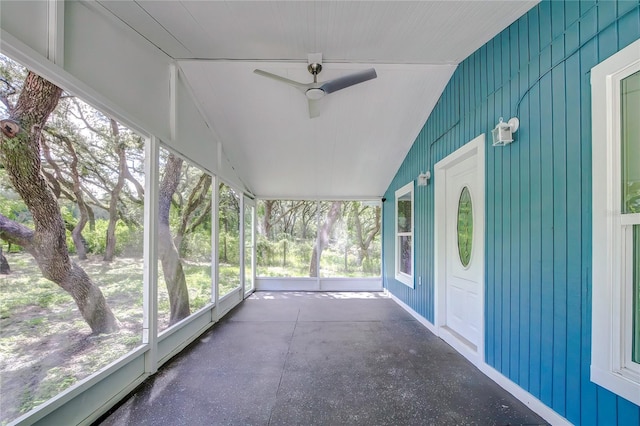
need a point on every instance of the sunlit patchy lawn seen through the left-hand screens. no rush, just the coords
(45, 345)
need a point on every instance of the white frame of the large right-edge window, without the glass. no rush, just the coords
(611, 365)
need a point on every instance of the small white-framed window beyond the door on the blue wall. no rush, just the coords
(404, 234)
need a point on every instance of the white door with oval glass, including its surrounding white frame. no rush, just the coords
(459, 222)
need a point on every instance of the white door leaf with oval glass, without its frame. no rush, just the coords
(462, 270)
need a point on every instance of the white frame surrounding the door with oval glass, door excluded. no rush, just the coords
(474, 148)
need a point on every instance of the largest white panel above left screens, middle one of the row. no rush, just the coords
(120, 65)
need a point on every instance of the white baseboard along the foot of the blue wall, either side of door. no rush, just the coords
(503, 381)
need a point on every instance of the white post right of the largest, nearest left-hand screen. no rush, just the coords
(150, 296)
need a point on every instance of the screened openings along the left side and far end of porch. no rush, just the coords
(155, 250)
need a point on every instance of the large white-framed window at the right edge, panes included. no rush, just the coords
(616, 224)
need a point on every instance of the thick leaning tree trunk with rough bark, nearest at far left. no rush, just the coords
(20, 155)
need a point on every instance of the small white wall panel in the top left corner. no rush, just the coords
(27, 21)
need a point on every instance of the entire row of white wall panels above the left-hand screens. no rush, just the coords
(125, 71)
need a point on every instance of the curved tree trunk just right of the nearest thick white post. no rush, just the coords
(167, 251)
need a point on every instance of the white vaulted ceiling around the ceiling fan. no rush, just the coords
(355, 146)
